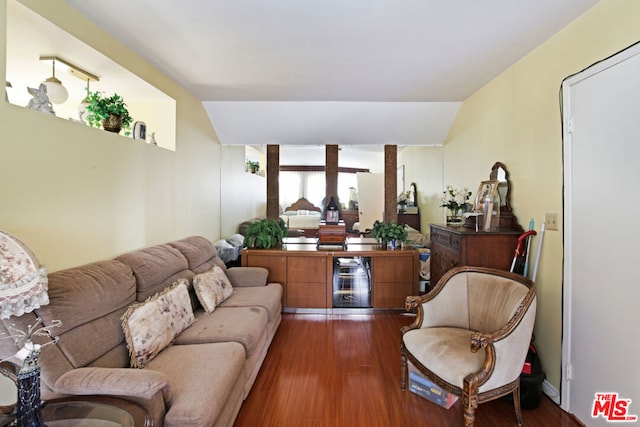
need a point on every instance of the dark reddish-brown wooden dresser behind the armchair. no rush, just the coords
(455, 246)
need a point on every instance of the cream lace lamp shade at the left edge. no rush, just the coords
(23, 281)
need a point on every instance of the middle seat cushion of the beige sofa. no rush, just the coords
(246, 325)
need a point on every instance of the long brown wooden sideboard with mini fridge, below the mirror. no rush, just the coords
(306, 272)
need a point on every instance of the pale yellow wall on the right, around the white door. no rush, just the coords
(516, 119)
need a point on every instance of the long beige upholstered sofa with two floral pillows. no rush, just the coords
(199, 380)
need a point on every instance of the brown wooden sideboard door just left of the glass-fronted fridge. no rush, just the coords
(307, 282)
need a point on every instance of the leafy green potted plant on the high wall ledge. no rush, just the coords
(110, 112)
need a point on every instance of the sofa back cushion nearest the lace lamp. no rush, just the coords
(89, 301)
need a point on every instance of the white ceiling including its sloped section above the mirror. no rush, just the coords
(332, 71)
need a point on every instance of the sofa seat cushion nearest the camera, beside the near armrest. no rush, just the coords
(202, 378)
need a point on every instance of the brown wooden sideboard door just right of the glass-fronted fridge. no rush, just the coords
(394, 279)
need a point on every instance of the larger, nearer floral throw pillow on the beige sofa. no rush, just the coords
(151, 326)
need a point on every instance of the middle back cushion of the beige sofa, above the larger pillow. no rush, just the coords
(156, 268)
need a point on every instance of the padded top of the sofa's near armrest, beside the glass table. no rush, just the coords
(125, 382)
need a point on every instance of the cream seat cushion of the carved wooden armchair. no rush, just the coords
(447, 351)
